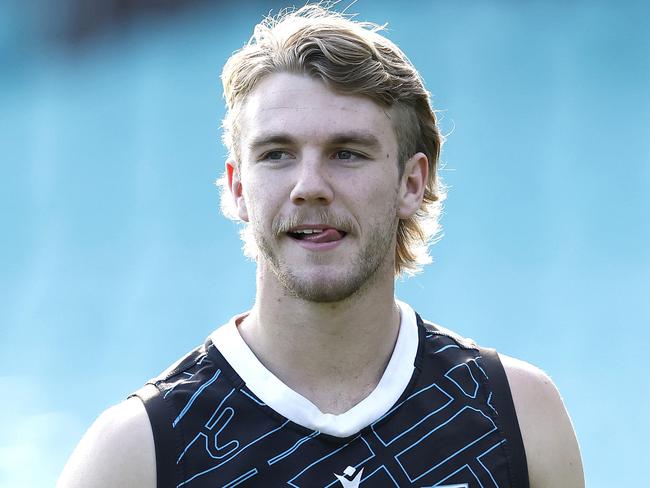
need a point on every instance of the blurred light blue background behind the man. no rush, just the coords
(114, 259)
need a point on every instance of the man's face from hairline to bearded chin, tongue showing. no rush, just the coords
(318, 185)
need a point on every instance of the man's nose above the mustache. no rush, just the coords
(312, 183)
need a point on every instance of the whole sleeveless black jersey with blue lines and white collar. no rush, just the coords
(441, 415)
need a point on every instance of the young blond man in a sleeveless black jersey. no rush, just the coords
(328, 380)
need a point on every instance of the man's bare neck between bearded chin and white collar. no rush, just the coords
(334, 354)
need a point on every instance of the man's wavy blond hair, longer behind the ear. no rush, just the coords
(350, 57)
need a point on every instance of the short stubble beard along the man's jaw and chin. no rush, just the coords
(362, 272)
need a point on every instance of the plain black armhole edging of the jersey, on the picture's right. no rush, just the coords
(507, 415)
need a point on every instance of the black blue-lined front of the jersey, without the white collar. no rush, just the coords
(443, 431)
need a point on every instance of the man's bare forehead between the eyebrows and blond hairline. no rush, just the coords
(309, 111)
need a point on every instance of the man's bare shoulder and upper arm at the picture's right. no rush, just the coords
(551, 446)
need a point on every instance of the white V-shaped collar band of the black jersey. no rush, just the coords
(293, 406)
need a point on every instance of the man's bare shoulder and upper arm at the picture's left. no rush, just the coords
(117, 450)
